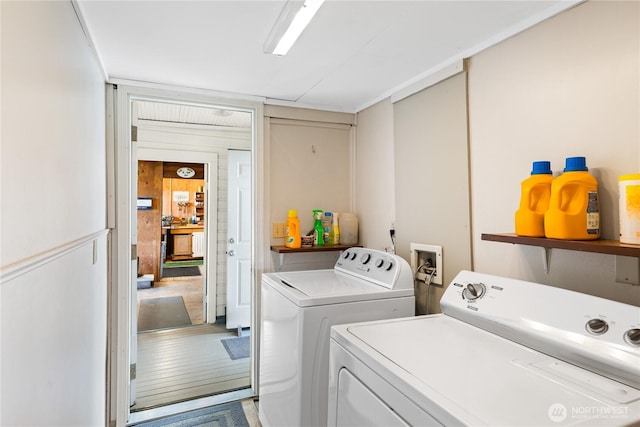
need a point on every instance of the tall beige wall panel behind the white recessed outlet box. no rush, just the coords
(432, 180)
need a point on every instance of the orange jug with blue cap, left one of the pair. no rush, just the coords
(535, 193)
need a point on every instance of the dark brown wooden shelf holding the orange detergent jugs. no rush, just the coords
(611, 247)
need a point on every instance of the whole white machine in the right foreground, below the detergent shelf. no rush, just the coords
(502, 353)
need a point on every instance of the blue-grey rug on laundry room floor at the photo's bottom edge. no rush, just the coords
(226, 415)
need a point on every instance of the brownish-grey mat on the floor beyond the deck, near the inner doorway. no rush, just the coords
(162, 313)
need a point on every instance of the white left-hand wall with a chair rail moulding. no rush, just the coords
(53, 244)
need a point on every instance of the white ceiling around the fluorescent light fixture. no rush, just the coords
(353, 54)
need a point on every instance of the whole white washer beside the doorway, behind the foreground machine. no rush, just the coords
(297, 311)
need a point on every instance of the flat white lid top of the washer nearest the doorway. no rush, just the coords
(322, 287)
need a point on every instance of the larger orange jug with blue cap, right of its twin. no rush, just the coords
(574, 212)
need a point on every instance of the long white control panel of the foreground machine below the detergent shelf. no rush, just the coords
(569, 325)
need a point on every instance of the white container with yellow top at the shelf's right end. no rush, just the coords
(629, 208)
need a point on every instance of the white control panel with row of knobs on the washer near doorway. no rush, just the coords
(388, 270)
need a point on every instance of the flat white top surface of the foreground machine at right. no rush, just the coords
(462, 374)
